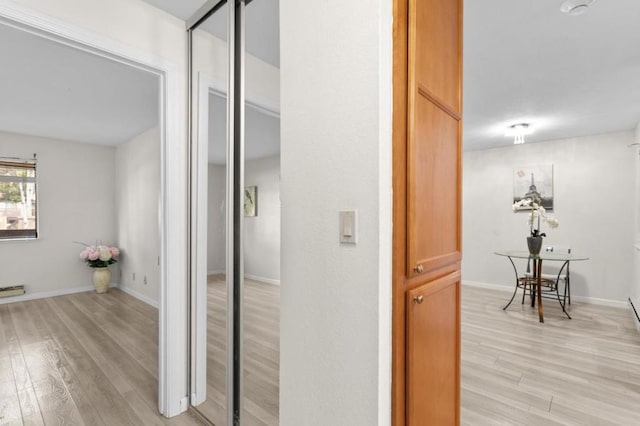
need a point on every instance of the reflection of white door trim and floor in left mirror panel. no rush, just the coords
(210, 298)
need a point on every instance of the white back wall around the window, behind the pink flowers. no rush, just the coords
(75, 184)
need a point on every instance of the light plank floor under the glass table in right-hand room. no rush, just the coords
(517, 371)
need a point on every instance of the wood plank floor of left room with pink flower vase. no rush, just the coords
(82, 359)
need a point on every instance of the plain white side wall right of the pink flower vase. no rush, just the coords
(137, 165)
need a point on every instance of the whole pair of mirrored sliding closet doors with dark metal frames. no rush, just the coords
(235, 212)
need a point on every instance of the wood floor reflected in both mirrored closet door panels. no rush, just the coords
(261, 353)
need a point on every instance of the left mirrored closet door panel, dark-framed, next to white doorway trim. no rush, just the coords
(212, 225)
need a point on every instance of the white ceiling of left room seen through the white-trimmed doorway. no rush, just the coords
(52, 90)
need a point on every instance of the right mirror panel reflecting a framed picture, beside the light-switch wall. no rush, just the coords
(261, 248)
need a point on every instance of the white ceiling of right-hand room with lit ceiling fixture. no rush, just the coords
(568, 75)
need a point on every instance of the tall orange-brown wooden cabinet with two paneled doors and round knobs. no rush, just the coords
(427, 211)
